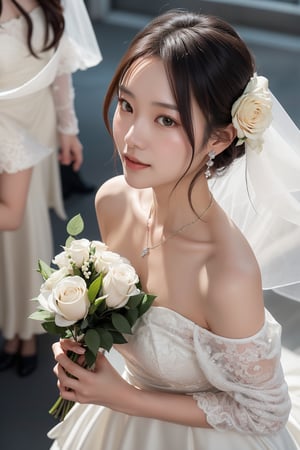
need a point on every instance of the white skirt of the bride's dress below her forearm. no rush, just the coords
(91, 427)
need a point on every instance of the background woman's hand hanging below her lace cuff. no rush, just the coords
(70, 151)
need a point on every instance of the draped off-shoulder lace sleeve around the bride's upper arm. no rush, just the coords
(250, 395)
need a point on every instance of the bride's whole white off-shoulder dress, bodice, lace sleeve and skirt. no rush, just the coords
(239, 384)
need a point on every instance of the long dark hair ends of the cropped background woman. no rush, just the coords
(53, 13)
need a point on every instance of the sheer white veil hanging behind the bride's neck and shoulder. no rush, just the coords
(261, 193)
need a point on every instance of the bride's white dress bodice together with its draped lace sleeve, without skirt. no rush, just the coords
(229, 378)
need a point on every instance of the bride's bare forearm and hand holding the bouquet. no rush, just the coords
(104, 386)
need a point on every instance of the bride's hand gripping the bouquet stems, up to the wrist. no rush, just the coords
(101, 386)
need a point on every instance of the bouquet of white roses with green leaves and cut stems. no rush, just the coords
(93, 297)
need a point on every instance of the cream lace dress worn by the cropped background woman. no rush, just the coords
(28, 138)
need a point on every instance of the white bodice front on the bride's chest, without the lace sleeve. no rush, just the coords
(161, 354)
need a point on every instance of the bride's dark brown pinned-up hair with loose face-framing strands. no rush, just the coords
(203, 57)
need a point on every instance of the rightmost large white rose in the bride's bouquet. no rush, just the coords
(119, 283)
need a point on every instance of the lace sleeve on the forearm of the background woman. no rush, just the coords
(63, 94)
